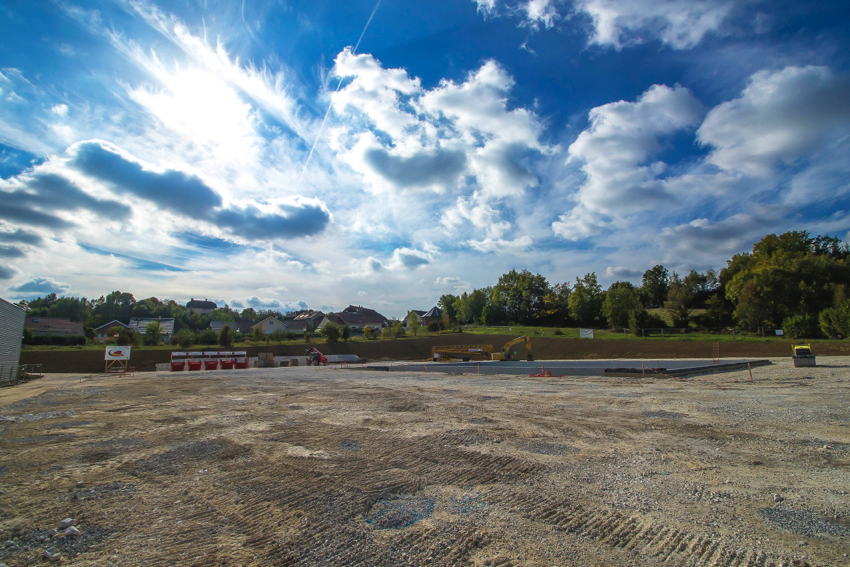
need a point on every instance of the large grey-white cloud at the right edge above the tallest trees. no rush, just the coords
(780, 116)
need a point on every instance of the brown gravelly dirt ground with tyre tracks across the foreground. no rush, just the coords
(343, 467)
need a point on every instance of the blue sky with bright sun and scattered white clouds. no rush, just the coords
(290, 154)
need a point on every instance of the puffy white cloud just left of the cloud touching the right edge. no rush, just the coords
(616, 147)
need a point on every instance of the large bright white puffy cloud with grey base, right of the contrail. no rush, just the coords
(435, 137)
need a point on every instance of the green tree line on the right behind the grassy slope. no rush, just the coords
(792, 281)
